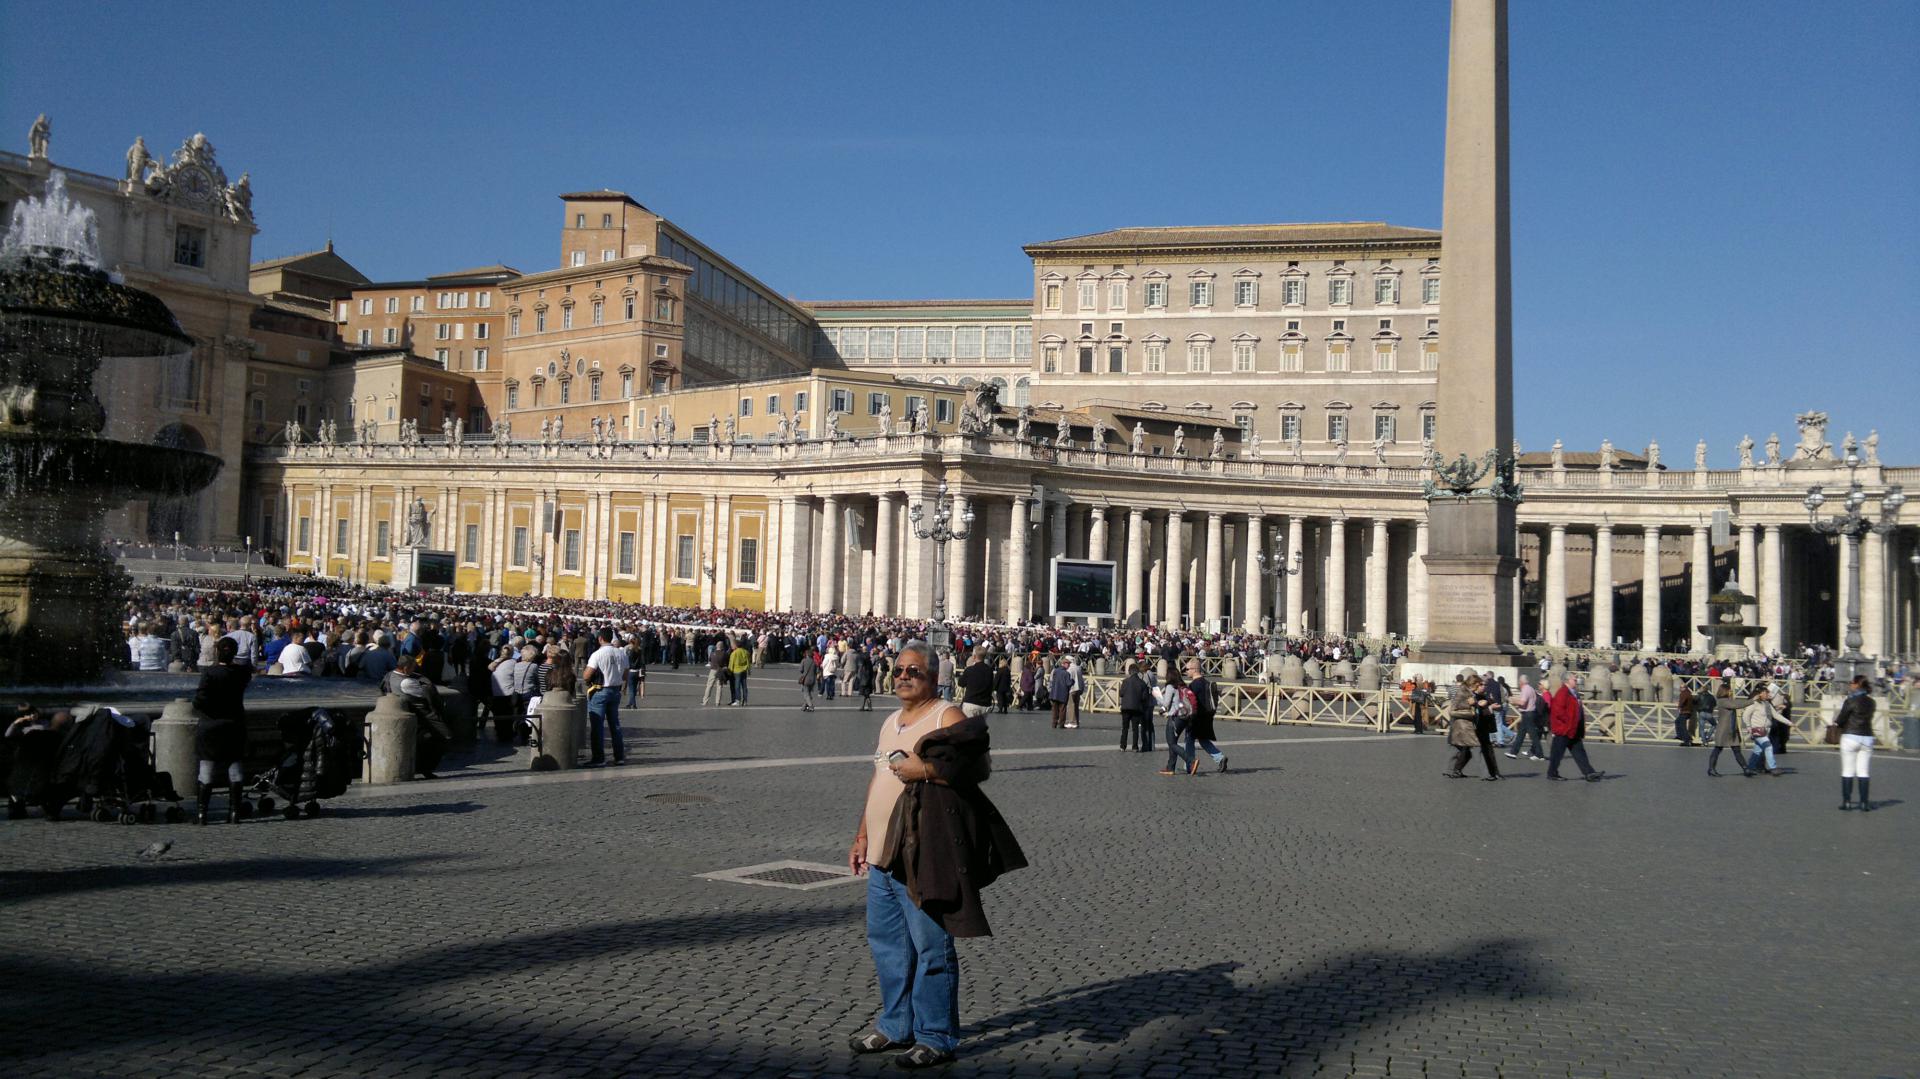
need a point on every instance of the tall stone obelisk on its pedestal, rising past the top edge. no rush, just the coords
(1472, 539)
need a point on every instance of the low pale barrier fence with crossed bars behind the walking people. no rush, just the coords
(1385, 709)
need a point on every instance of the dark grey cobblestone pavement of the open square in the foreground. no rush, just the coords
(1330, 907)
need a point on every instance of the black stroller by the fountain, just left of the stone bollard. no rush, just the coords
(105, 763)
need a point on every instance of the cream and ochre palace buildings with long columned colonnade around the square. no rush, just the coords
(1239, 418)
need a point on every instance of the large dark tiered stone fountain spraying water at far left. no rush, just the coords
(60, 316)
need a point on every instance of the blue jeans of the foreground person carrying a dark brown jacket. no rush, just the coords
(917, 963)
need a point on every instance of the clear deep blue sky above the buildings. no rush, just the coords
(1716, 204)
